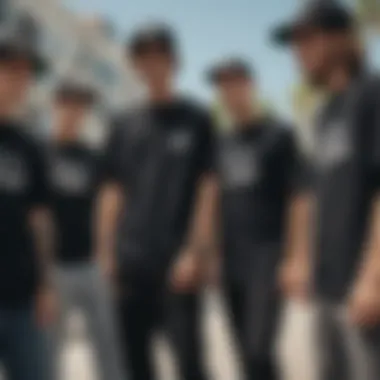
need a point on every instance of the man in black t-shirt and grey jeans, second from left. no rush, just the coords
(74, 184)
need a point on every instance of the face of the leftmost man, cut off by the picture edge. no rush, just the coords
(16, 76)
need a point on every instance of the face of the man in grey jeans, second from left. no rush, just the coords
(70, 113)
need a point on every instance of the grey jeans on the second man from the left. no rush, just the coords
(82, 286)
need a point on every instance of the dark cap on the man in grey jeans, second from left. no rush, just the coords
(75, 89)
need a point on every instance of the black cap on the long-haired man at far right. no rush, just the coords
(328, 15)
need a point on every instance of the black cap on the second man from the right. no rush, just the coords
(229, 67)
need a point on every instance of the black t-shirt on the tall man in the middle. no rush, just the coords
(157, 154)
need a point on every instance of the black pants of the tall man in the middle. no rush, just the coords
(142, 312)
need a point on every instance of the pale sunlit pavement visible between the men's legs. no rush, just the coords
(294, 349)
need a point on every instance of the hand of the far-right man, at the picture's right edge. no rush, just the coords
(364, 302)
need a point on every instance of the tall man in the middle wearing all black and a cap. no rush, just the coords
(157, 165)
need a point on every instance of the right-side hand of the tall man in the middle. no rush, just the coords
(187, 272)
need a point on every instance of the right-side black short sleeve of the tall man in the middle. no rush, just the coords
(207, 146)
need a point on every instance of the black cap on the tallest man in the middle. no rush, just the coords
(157, 35)
